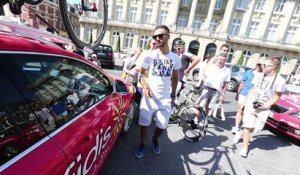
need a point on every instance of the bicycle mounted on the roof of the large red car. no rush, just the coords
(98, 8)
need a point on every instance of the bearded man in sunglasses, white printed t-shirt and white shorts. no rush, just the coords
(162, 66)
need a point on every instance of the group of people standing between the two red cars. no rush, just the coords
(159, 75)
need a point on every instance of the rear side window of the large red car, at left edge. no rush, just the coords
(20, 126)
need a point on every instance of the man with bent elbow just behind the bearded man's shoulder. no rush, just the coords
(188, 62)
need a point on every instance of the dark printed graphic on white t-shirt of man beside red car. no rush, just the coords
(162, 67)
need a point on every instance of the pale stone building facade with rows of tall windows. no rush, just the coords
(252, 28)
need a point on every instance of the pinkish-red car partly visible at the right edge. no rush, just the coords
(285, 115)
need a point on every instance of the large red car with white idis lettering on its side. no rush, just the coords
(78, 110)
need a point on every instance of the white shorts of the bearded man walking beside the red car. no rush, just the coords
(161, 107)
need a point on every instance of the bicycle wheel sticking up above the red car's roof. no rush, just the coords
(91, 16)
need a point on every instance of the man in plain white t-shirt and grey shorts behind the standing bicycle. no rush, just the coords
(215, 79)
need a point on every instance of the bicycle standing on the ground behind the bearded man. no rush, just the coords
(191, 119)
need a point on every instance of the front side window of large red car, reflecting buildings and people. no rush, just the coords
(59, 87)
